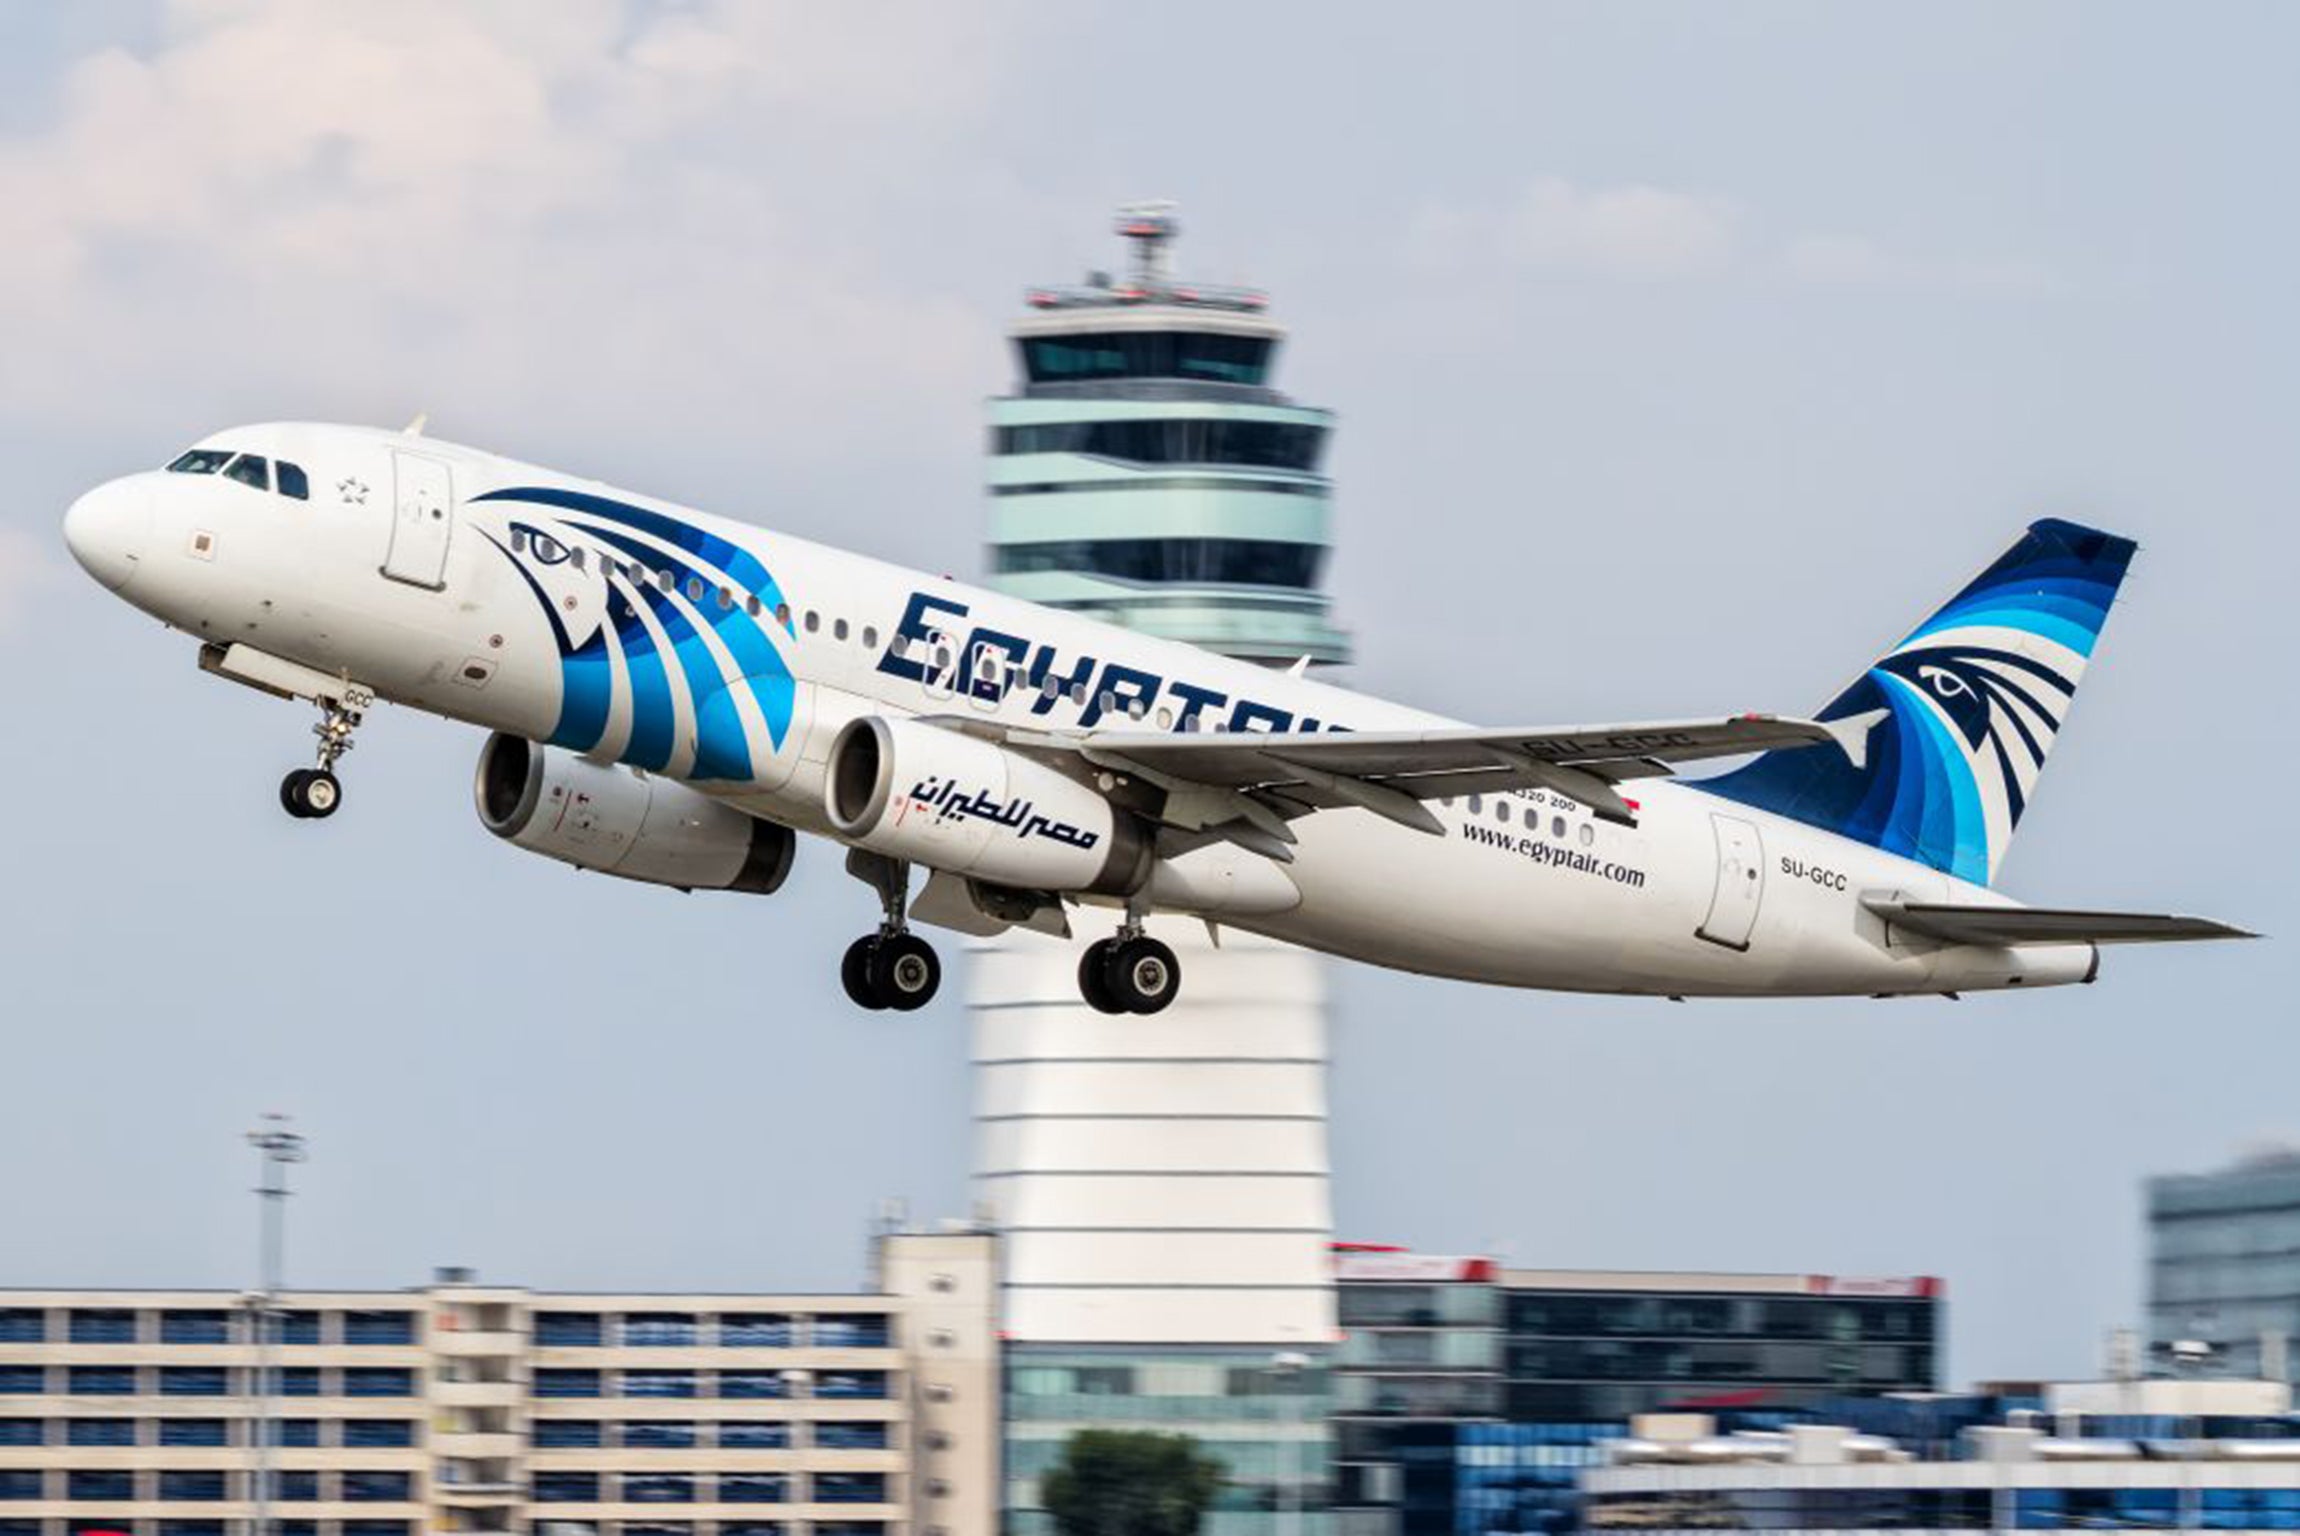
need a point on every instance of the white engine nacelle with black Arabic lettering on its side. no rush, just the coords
(967, 806)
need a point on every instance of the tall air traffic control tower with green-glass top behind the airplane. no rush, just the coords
(1163, 1181)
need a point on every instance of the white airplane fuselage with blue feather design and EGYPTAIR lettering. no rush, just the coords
(438, 599)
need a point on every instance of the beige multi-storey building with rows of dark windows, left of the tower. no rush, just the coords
(496, 1408)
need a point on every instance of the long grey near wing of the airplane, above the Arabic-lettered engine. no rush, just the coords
(1266, 778)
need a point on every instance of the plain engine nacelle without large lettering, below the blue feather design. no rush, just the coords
(618, 822)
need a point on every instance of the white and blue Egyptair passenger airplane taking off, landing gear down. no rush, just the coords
(675, 698)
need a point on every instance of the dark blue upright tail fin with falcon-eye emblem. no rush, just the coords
(1961, 714)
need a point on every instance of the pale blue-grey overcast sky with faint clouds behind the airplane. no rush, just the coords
(1685, 358)
